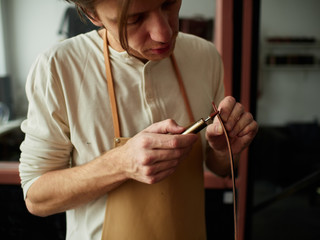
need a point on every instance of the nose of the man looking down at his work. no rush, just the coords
(159, 27)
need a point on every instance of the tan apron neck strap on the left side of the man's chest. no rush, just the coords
(112, 96)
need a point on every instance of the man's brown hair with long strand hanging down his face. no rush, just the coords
(87, 8)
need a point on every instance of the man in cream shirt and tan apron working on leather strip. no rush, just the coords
(68, 162)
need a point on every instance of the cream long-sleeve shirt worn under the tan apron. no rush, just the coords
(69, 120)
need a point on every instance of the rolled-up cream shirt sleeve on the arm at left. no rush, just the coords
(47, 144)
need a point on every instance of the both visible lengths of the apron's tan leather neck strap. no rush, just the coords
(111, 91)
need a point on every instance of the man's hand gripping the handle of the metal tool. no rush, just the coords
(154, 153)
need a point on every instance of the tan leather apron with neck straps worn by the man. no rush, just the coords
(170, 209)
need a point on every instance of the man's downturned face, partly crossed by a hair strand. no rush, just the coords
(152, 26)
